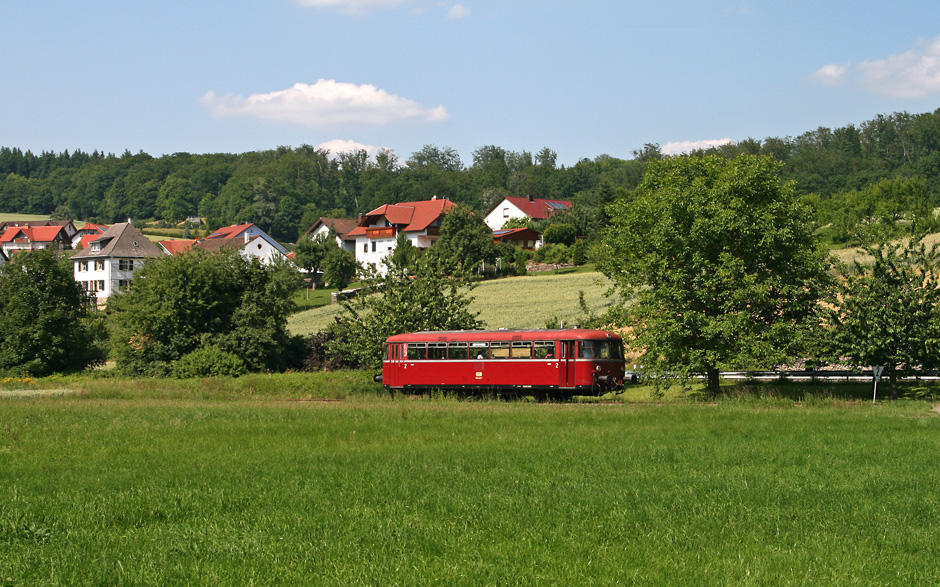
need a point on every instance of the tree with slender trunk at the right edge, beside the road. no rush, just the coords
(888, 313)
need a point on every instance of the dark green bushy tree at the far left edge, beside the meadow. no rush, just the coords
(45, 327)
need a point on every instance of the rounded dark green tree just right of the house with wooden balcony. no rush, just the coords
(466, 240)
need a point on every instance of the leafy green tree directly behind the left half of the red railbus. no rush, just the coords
(428, 300)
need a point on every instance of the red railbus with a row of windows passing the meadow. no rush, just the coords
(566, 360)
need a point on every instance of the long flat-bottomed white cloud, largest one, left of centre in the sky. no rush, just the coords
(325, 104)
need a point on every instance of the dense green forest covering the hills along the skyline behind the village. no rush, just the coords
(855, 177)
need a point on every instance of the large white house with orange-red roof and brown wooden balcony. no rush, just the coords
(377, 230)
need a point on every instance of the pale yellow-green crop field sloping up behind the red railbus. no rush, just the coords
(516, 302)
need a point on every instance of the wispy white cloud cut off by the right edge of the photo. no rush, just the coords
(914, 74)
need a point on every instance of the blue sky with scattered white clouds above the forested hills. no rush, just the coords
(583, 78)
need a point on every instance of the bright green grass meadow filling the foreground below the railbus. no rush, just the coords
(210, 484)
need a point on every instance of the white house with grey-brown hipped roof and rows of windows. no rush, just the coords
(107, 265)
